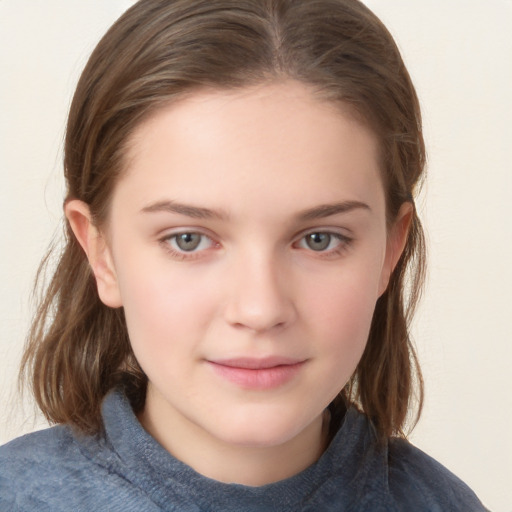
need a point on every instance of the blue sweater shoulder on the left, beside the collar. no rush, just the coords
(57, 470)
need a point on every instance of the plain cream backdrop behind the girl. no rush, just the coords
(459, 53)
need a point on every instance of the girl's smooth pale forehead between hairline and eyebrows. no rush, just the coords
(277, 140)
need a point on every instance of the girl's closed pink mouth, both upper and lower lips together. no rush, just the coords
(258, 374)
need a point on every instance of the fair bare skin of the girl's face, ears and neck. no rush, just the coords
(256, 286)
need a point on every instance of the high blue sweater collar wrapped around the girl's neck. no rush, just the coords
(130, 451)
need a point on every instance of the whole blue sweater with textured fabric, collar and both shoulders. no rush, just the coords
(127, 470)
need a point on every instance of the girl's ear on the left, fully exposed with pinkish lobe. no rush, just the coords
(97, 251)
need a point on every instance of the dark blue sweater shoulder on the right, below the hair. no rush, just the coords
(417, 480)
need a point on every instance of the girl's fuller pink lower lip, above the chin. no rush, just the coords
(258, 379)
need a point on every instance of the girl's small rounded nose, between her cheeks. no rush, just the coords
(260, 294)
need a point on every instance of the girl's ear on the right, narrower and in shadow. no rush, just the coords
(397, 238)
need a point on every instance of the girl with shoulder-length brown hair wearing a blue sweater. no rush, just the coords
(227, 326)
